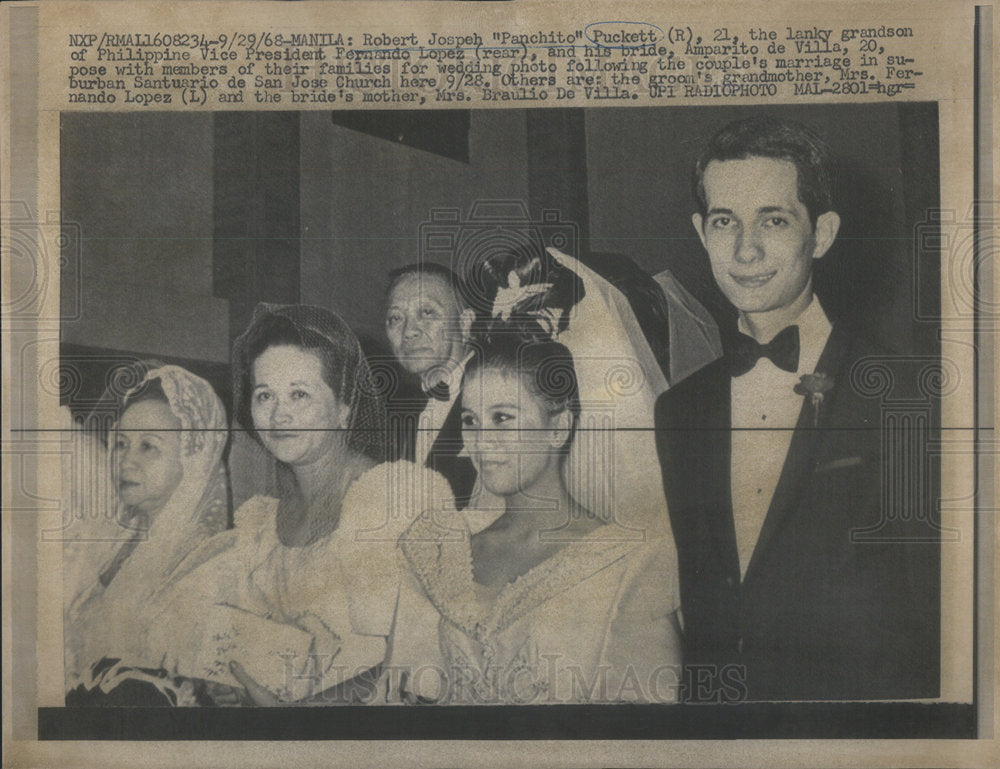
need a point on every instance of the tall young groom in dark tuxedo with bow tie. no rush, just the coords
(772, 461)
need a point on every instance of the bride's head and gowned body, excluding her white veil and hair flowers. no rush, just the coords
(537, 600)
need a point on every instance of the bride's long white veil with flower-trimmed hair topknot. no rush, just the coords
(611, 468)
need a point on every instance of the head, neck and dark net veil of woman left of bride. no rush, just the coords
(331, 430)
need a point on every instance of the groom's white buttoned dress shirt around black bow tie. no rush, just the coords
(765, 409)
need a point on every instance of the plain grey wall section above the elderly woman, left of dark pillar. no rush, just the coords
(139, 189)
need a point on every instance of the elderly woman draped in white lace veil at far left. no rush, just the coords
(168, 495)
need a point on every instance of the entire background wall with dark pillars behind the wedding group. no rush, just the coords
(186, 221)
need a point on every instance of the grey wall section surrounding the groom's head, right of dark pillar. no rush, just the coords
(639, 171)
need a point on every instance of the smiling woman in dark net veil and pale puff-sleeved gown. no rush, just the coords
(301, 599)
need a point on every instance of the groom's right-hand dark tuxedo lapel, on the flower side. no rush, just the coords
(801, 451)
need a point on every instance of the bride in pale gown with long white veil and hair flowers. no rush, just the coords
(541, 598)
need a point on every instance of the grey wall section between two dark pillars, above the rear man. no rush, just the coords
(363, 200)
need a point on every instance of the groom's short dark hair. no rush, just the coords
(776, 138)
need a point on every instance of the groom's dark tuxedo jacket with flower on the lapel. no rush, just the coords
(839, 601)
